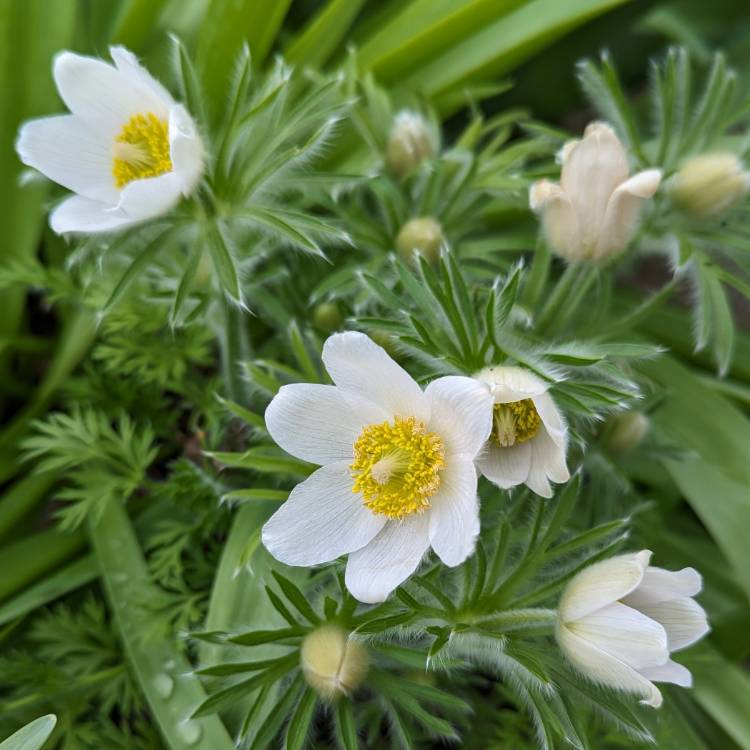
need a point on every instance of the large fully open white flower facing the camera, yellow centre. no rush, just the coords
(397, 469)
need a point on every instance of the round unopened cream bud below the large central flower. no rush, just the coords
(334, 663)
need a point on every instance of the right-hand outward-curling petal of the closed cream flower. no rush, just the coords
(624, 210)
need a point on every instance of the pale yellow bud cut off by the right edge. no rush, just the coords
(708, 184)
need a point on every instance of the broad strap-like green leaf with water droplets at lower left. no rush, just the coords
(165, 676)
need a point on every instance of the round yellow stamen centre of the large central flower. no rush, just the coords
(397, 467)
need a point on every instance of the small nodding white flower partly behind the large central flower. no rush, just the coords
(529, 438)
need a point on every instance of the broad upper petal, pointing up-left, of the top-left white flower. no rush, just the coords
(102, 96)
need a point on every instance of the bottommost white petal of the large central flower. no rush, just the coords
(388, 560)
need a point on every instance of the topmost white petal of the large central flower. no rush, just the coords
(357, 364)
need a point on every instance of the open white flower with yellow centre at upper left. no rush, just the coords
(128, 150)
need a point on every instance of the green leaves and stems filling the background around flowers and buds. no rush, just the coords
(136, 602)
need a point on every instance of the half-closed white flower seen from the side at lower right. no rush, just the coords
(620, 619)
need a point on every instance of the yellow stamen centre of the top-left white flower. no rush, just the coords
(141, 150)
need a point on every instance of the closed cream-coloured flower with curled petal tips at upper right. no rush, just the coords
(593, 213)
